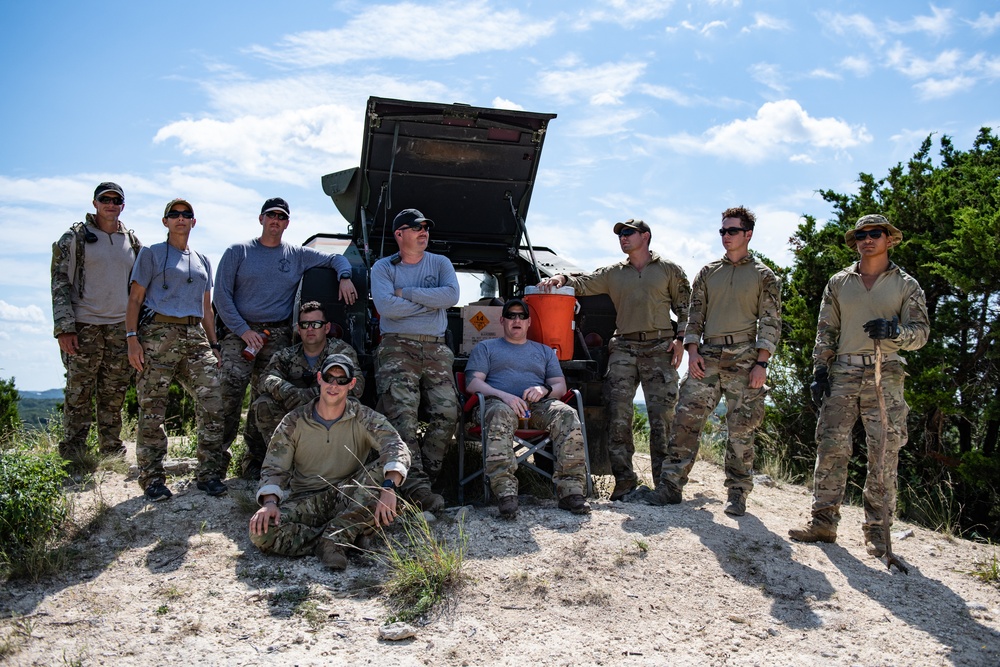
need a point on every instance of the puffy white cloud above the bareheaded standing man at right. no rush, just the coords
(777, 127)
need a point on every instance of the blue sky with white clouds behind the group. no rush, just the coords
(667, 111)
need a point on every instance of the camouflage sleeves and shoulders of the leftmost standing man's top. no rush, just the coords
(67, 271)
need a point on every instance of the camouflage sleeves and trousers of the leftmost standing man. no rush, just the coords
(100, 368)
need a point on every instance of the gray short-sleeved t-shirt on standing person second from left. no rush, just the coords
(175, 281)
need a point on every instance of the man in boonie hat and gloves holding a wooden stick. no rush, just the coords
(873, 299)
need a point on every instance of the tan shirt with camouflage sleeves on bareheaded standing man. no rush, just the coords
(735, 298)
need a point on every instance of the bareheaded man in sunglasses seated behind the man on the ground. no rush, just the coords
(289, 381)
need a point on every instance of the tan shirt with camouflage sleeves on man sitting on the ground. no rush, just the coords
(305, 457)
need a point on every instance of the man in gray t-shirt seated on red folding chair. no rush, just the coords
(518, 376)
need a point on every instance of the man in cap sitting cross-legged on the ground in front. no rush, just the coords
(316, 493)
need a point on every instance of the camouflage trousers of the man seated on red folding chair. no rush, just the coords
(559, 419)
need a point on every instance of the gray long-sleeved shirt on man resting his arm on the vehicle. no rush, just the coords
(256, 283)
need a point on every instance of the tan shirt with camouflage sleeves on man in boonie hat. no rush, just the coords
(847, 304)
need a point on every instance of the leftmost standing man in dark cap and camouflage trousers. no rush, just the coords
(89, 293)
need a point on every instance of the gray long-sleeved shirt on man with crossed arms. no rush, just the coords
(429, 288)
